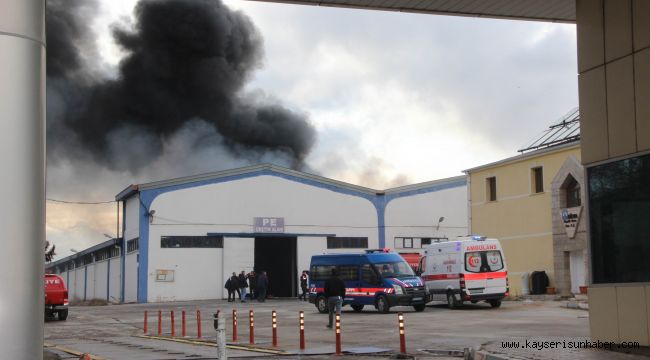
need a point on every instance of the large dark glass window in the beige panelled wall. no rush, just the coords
(619, 204)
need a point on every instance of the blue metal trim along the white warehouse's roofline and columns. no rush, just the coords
(379, 201)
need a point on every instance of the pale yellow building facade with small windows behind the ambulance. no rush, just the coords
(517, 200)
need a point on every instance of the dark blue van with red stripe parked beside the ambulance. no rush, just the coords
(377, 277)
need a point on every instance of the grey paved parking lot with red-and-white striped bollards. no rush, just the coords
(112, 332)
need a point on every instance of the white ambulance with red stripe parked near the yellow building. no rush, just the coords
(465, 269)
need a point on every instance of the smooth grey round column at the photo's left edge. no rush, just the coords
(22, 178)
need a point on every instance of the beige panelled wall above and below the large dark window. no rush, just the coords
(614, 84)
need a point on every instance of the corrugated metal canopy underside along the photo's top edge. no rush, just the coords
(538, 10)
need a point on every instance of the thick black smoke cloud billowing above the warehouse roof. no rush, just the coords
(184, 71)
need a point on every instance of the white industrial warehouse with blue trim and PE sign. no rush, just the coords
(185, 236)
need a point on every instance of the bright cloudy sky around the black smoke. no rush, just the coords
(395, 98)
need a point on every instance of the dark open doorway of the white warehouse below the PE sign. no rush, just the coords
(277, 256)
